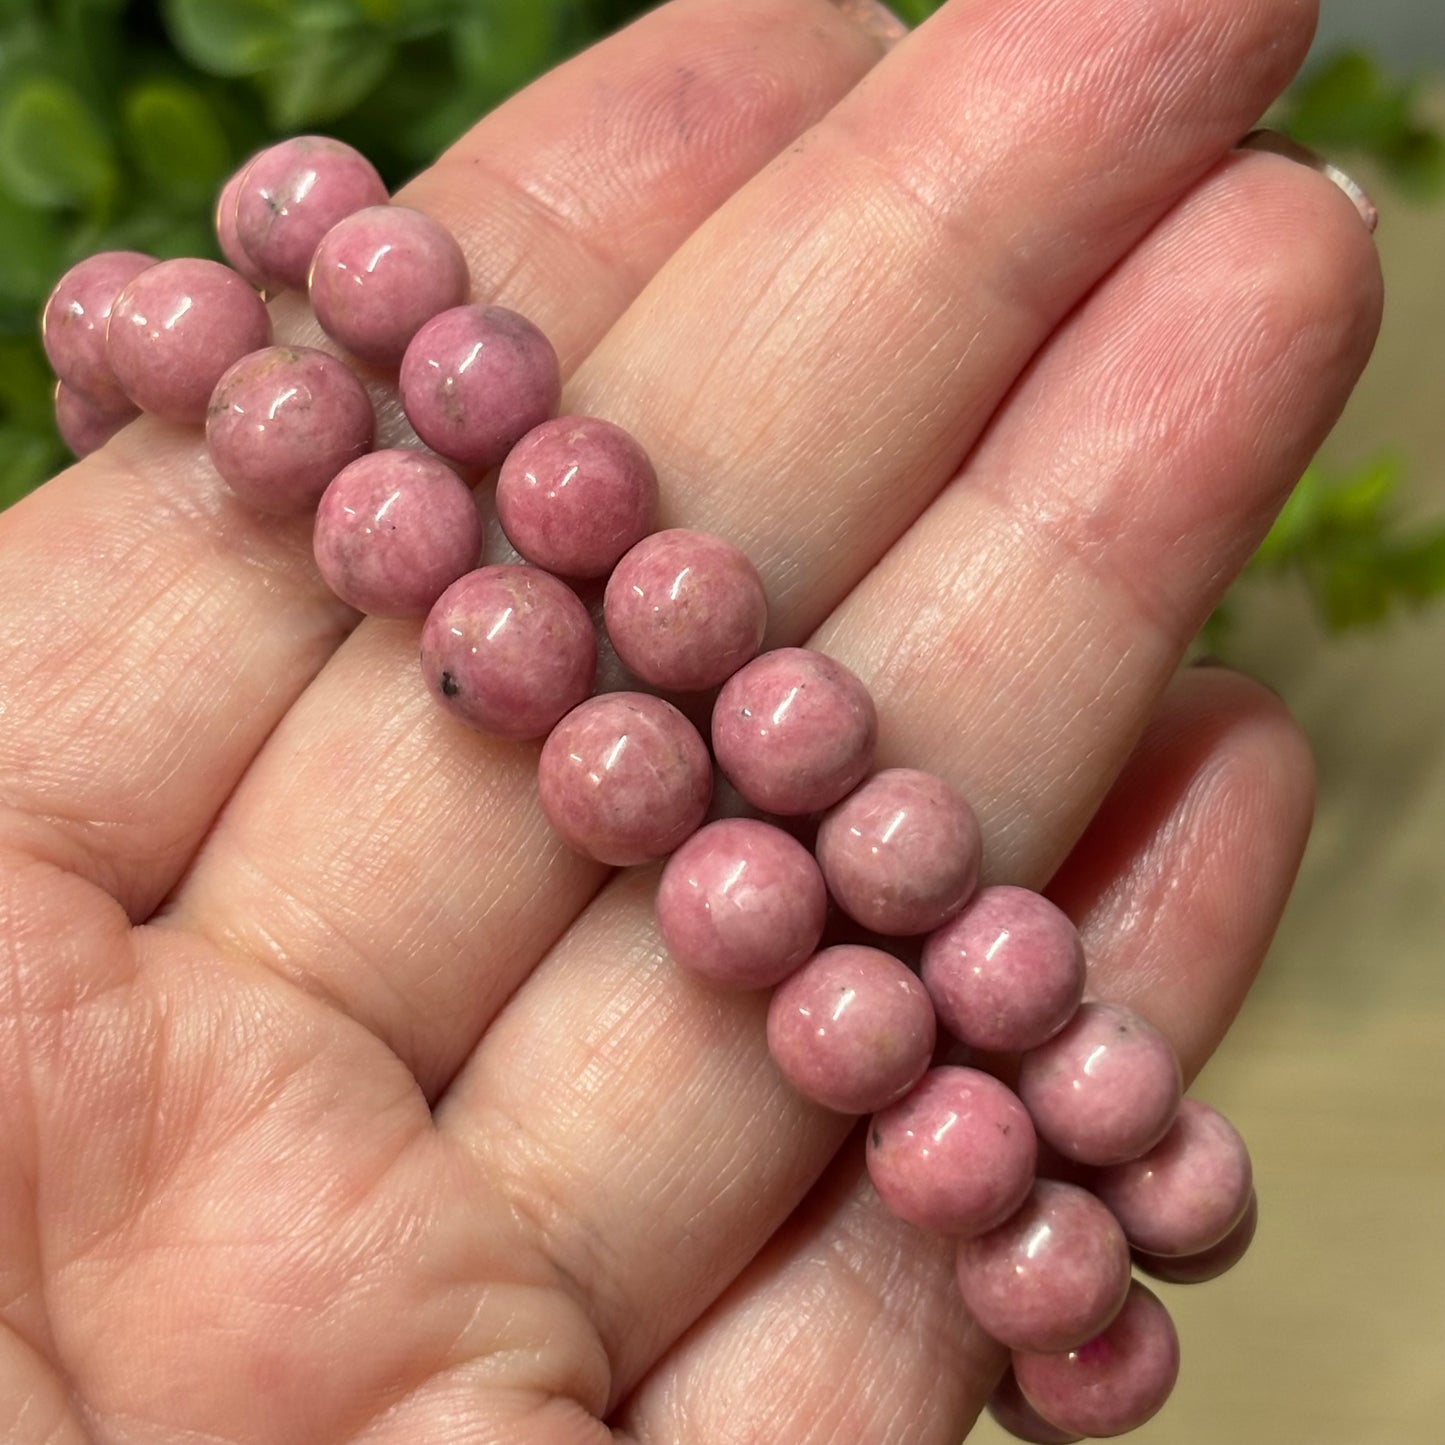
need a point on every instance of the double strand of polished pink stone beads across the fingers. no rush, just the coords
(1134, 1174)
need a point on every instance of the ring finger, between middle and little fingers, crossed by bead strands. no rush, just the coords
(1015, 641)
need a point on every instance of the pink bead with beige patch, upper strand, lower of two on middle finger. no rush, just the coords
(686, 611)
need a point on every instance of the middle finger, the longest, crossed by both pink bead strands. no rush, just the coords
(777, 345)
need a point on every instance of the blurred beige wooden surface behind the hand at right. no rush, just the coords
(1333, 1330)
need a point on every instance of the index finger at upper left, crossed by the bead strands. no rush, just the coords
(157, 631)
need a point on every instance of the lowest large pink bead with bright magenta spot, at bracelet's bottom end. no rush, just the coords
(1113, 1384)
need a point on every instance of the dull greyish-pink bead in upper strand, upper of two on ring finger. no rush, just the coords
(902, 853)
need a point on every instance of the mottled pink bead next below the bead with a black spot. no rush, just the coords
(625, 778)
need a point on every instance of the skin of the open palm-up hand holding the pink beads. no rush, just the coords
(277, 1076)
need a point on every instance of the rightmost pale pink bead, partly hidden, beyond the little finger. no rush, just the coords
(1189, 1191)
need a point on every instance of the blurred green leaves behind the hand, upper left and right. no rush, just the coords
(119, 121)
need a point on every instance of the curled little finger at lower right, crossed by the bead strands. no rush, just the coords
(866, 1336)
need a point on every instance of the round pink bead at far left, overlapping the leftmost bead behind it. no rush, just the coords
(177, 329)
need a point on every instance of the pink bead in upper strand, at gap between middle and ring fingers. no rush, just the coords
(794, 732)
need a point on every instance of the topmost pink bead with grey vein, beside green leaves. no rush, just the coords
(291, 196)
